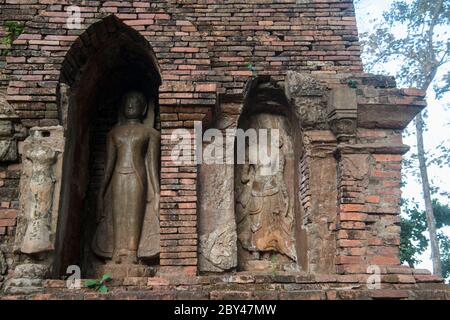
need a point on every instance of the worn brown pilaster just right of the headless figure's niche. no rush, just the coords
(319, 199)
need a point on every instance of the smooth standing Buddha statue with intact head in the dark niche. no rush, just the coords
(128, 226)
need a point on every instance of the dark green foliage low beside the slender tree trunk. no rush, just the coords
(413, 242)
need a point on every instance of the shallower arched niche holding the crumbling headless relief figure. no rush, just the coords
(268, 211)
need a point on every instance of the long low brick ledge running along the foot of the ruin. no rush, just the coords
(251, 286)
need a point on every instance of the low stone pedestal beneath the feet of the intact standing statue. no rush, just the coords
(122, 271)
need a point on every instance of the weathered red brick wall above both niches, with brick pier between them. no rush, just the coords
(194, 42)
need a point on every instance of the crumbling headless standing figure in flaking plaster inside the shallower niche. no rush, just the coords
(265, 210)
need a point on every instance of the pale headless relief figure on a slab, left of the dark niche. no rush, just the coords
(40, 184)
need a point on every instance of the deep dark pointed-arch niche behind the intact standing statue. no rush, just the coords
(105, 62)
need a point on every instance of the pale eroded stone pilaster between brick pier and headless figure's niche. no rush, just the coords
(217, 224)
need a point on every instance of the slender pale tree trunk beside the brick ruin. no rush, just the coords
(431, 223)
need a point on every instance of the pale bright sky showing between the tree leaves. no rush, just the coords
(438, 122)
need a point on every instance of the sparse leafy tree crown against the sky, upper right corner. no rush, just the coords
(422, 48)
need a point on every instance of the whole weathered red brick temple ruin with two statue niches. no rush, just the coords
(294, 65)
